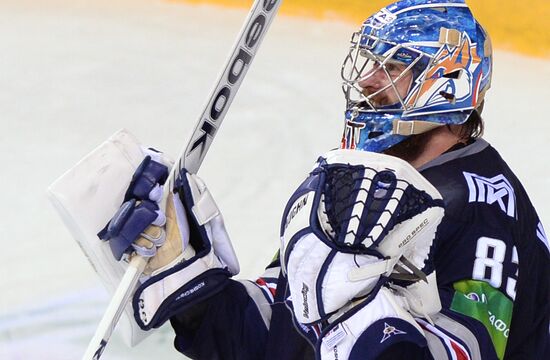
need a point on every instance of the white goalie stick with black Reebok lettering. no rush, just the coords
(256, 24)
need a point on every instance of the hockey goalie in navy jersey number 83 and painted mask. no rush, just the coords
(413, 240)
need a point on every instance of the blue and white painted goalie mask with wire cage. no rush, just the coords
(448, 54)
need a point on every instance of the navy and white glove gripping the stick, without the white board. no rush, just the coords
(191, 256)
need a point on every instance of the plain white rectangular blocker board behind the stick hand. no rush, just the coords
(86, 197)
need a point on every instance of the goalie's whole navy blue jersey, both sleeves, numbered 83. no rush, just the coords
(493, 268)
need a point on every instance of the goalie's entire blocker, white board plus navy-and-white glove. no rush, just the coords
(85, 213)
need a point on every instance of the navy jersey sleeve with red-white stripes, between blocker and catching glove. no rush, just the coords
(233, 324)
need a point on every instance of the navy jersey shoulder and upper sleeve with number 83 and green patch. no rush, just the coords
(491, 253)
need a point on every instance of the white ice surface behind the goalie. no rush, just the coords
(73, 72)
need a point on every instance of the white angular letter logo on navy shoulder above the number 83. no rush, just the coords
(492, 190)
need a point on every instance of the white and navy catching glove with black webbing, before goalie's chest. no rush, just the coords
(359, 221)
